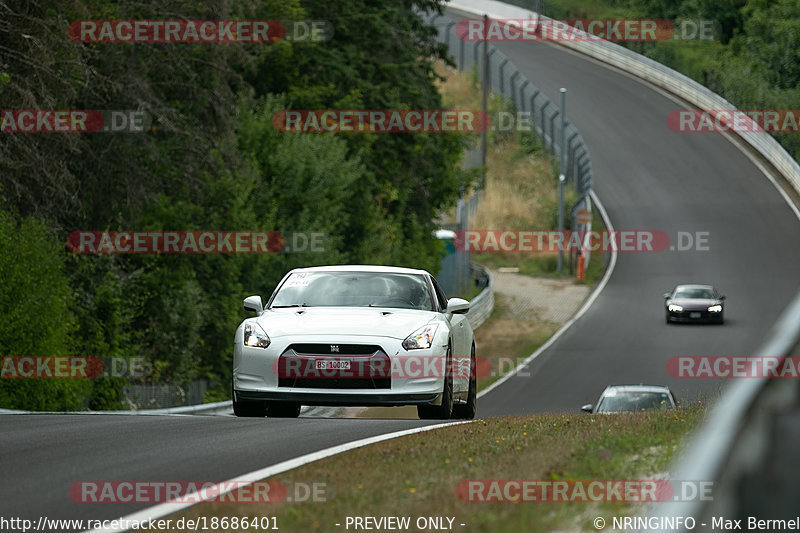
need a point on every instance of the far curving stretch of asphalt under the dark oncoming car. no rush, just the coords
(651, 178)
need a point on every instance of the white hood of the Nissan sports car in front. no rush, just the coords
(376, 321)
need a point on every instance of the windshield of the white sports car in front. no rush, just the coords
(354, 289)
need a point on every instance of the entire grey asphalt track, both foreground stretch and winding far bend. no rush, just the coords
(647, 176)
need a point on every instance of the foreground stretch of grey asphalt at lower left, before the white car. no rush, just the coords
(41, 456)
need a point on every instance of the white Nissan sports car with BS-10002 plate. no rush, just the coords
(358, 336)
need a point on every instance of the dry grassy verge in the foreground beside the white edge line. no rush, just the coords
(418, 475)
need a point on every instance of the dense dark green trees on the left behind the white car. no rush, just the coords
(212, 161)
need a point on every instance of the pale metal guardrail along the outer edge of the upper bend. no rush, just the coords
(655, 73)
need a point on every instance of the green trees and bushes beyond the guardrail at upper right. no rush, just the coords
(755, 64)
